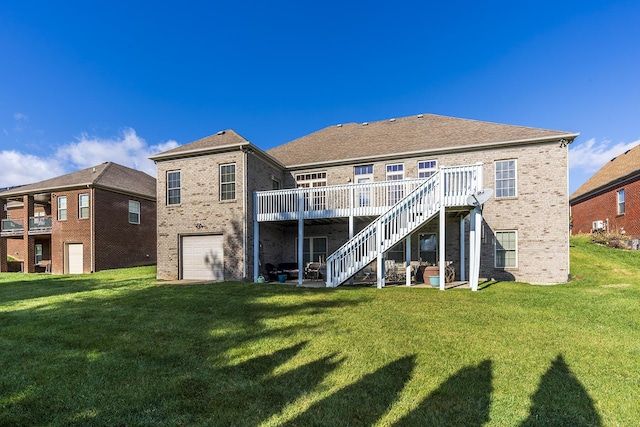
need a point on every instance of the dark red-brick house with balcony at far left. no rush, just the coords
(95, 219)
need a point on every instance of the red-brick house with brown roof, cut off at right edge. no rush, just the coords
(609, 201)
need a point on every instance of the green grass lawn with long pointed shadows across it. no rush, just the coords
(116, 349)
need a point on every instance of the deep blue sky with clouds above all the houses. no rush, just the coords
(84, 83)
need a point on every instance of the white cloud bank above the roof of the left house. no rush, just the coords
(127, 149)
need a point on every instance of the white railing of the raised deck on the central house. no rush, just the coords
(369, 199)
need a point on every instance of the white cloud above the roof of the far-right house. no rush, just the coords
(591, 156)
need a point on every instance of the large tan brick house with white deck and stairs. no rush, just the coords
(368, 198)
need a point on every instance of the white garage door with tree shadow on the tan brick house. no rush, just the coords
(202, 258)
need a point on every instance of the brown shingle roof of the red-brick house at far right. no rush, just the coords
(618, 168)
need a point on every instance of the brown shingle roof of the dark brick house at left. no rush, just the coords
(106, 175)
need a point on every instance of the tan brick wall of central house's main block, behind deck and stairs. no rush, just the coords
(539, 214)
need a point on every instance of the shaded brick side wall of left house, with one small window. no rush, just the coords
(118, 243)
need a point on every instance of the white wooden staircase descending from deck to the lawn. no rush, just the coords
(448, 186)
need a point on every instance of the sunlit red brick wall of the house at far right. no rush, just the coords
(604, 207)
